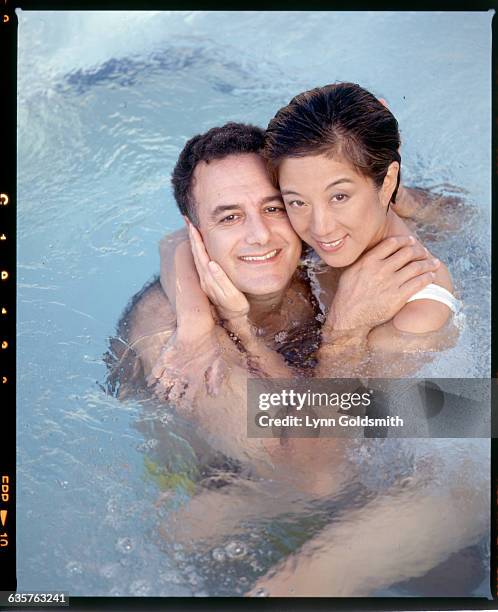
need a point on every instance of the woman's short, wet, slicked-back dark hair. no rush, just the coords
(343, 120)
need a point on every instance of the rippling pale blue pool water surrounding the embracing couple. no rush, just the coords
(106, 101)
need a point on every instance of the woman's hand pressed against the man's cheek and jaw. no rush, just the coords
(229, 301)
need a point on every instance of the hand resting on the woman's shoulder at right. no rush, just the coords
(378, 285)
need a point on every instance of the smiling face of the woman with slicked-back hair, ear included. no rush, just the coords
(336, 210)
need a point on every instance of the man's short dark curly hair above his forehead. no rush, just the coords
(217, 143)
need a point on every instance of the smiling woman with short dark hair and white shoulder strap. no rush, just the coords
(334, 153)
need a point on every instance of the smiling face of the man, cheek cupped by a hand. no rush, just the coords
(244, 224)
